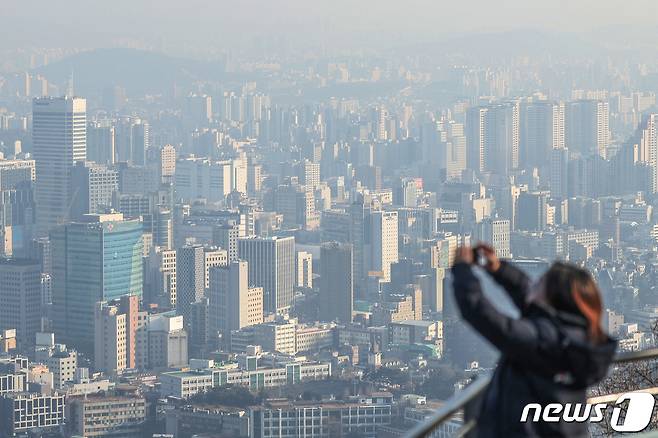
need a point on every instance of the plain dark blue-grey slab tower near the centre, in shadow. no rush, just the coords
(336, 282)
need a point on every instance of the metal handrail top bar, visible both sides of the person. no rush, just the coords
(472, 391)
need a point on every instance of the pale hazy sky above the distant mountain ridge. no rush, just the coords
(90, 23)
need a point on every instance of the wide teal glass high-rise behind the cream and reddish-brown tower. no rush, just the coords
(96, 259)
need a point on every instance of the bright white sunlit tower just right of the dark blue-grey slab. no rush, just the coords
(383, 242)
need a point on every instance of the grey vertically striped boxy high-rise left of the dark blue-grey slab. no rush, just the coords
(271, 263)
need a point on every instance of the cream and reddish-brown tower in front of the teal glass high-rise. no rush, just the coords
(115, 334)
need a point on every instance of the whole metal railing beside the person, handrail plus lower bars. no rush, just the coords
(468, 400)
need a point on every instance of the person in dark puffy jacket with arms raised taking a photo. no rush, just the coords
(550, 354)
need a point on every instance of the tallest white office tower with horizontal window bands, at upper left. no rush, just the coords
(59, 138)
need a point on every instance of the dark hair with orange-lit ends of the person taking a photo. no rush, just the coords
(572, 289)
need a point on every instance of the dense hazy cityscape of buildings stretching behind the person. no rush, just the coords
(258, 243)
